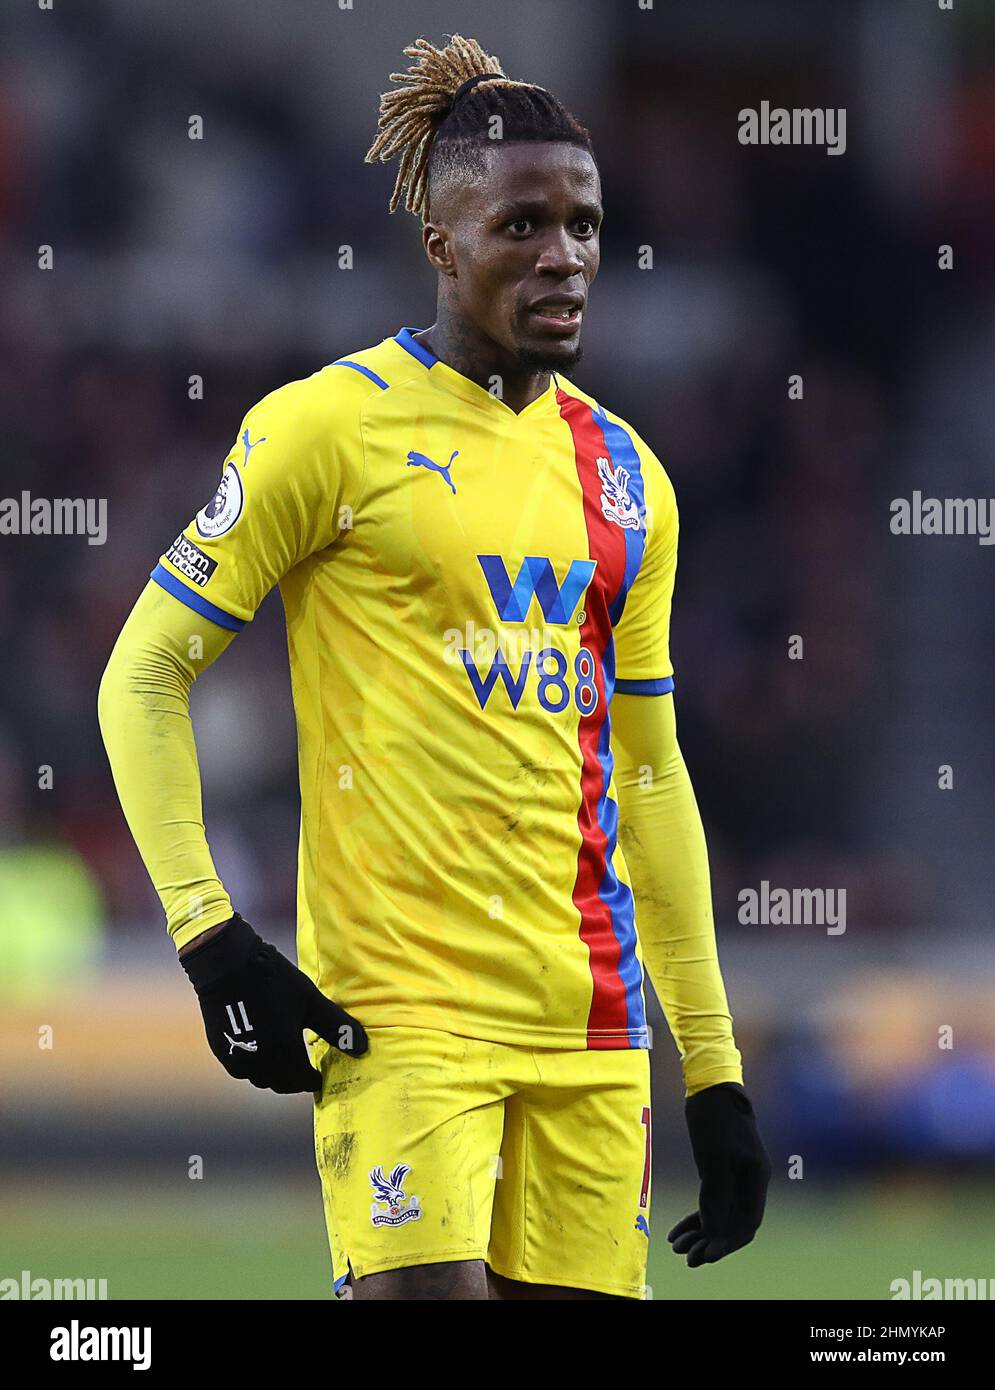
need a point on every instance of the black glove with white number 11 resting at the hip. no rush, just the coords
(256, 1006)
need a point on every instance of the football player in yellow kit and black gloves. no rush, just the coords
(498, 837)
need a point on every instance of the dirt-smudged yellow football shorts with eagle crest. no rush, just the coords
(436, 1147)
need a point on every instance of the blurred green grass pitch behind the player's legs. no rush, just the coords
(161, 1241)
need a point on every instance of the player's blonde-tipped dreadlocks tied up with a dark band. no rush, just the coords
(440, 120)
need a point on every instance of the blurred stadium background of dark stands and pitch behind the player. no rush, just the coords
(219, 258)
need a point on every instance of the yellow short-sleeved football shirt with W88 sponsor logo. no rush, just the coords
(465, 589)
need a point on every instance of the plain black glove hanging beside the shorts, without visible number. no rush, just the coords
(734, 1170)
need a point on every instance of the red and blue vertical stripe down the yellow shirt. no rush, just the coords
(604, 901)
